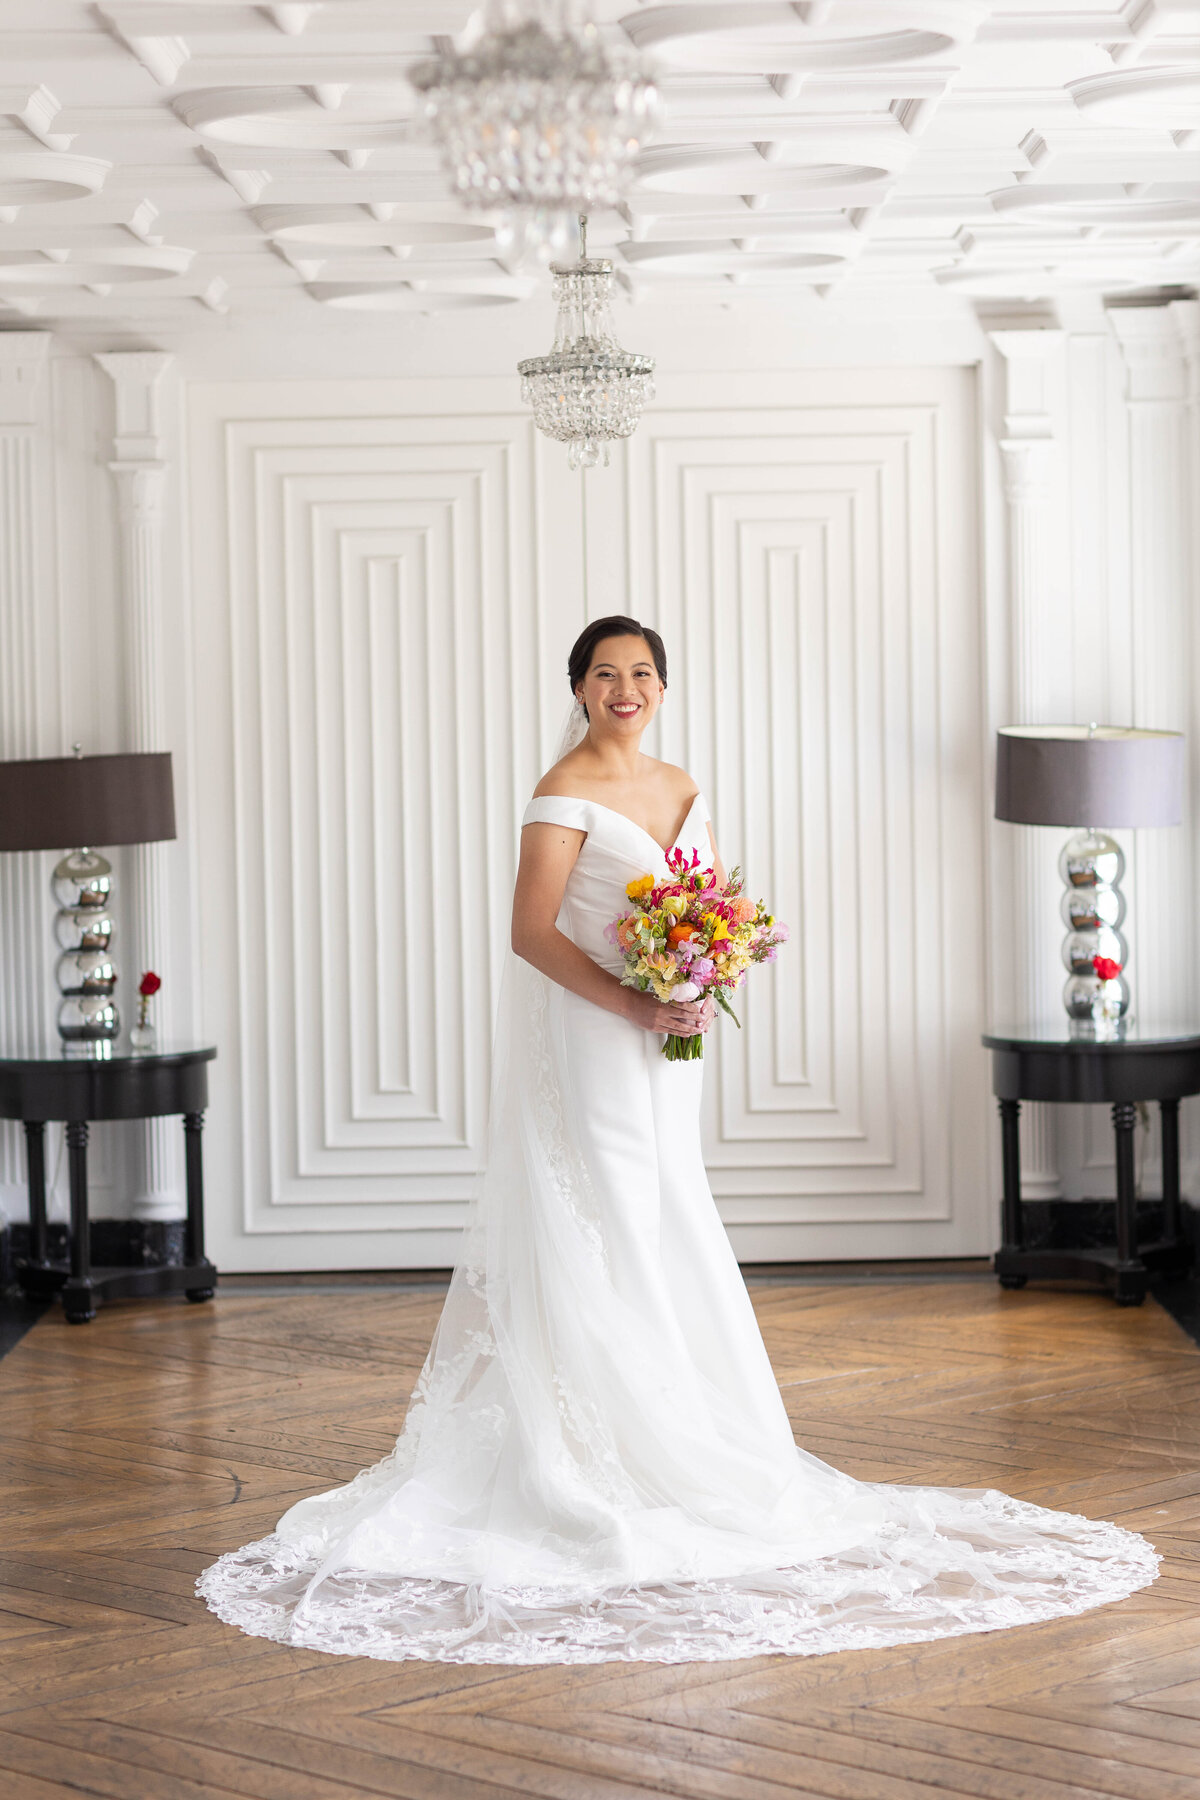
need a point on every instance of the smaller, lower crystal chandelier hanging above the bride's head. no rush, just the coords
(589, 390)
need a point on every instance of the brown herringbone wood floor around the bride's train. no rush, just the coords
(141, 1446)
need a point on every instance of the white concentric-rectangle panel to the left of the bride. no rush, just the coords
(364, 638)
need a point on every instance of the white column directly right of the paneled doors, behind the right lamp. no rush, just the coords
(1030, 467)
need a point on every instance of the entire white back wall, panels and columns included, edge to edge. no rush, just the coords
(368, 597)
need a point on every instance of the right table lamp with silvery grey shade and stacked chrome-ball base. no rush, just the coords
(1075, 777)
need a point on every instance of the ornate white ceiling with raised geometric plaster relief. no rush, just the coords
(163, 161)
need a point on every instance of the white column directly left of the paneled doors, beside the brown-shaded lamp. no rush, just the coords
(139, 472)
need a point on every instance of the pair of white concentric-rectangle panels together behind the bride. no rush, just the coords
(386, 586)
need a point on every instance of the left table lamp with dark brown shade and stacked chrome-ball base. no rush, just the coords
(57, 802)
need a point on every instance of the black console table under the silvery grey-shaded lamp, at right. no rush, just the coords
(1050, 1065)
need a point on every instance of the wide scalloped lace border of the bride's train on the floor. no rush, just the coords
(990, 1563)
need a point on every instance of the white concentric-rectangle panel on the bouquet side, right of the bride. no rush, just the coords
(816, 566)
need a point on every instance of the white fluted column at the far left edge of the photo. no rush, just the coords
(26, 910)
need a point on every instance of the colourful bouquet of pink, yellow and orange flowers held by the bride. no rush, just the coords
(688, 939)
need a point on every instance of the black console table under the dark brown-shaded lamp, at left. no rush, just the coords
(127, 1086)
